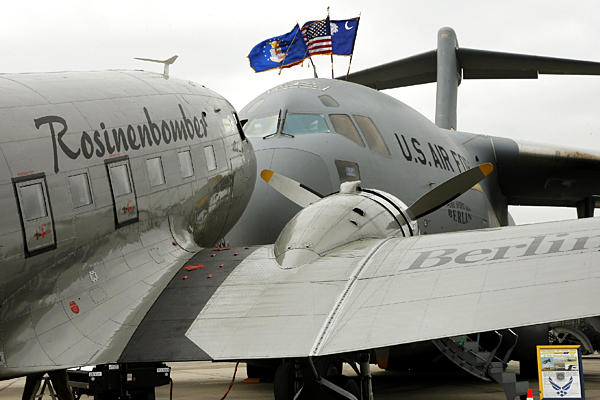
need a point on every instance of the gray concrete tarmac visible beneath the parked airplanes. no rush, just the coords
(205, 380)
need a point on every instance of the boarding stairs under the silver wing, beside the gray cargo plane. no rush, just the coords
(471, 357)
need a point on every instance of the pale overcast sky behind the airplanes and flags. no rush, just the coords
(213, 38)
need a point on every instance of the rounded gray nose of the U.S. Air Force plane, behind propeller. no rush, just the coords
(268, 211)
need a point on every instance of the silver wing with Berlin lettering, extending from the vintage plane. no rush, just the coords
(381, 292)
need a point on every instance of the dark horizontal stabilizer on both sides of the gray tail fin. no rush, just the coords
(475, 64)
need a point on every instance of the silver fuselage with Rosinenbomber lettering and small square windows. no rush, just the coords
(109, 181)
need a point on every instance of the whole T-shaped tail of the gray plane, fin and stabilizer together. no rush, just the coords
(449, 64)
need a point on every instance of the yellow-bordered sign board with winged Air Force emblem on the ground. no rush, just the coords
(560, 372)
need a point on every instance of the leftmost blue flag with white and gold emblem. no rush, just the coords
(281, 51)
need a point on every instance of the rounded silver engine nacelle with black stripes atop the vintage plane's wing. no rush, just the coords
(350, 215)
